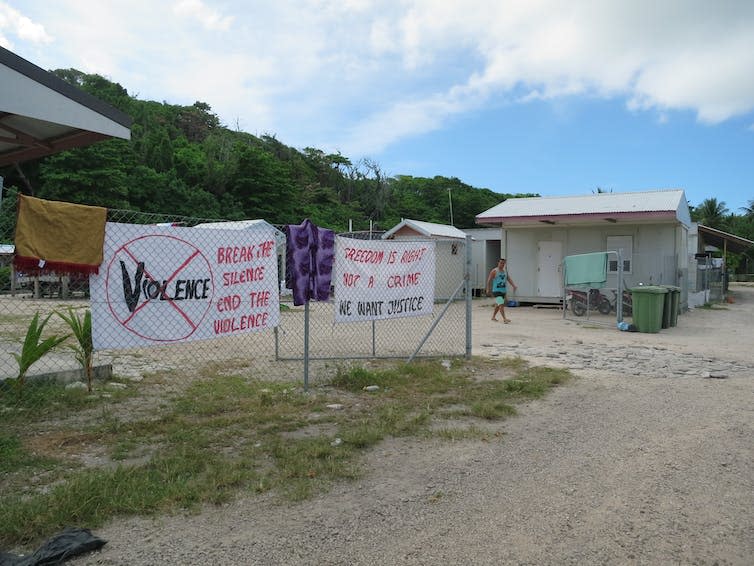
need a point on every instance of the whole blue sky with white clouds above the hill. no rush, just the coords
(529, 96)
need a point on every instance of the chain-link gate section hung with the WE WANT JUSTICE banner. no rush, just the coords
(363, 325)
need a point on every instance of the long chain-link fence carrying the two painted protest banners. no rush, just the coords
(253, 323)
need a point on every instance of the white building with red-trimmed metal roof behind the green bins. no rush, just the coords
(650, 228)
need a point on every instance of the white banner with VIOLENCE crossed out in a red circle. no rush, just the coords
(159, 285)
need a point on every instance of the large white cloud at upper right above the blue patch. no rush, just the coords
(677, 55)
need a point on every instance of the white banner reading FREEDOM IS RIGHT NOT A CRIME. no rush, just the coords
(383, 279)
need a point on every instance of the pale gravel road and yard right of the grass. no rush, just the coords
(646, 458)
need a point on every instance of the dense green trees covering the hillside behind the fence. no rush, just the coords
(182, 161)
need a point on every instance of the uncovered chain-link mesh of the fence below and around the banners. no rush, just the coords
(268, 354)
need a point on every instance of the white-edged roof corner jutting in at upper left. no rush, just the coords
(41, 114)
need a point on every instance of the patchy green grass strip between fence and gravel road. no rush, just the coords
(228, 433)
